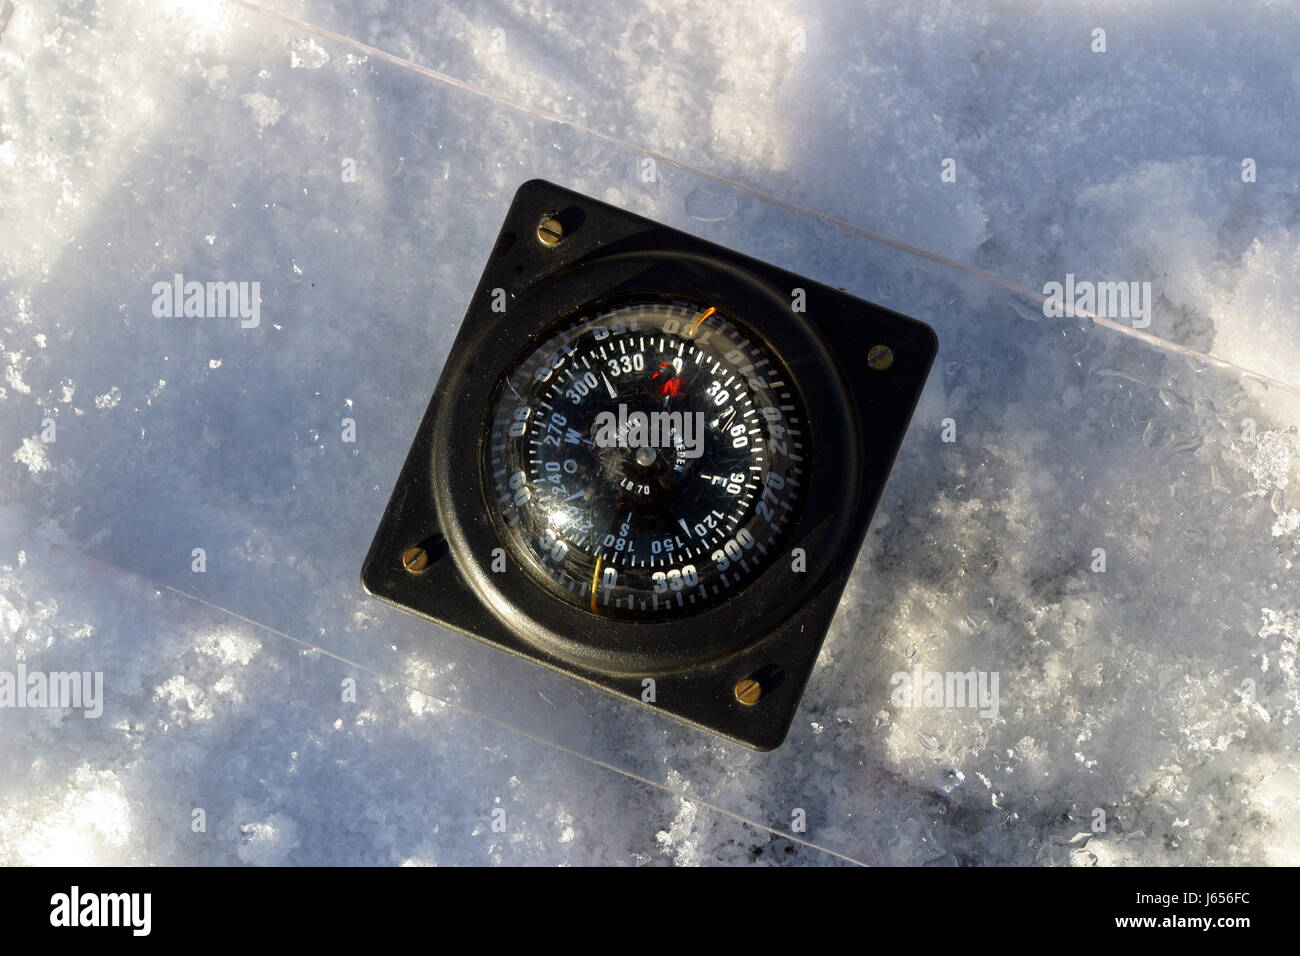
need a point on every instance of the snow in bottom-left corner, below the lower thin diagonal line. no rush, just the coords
(209, 712)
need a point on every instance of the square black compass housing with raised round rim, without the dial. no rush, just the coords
(738, 667)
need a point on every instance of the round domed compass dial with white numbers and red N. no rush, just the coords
(647, 461)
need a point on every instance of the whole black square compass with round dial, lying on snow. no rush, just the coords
(649, 464)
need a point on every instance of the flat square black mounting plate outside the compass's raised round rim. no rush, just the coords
(411, 564)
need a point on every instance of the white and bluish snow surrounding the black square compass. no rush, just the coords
(183, 136)
